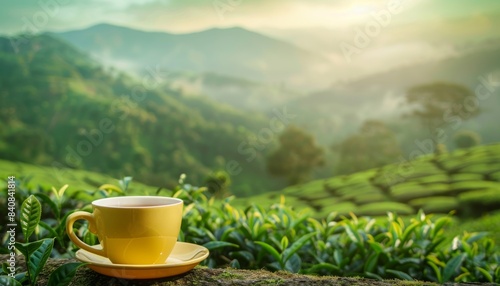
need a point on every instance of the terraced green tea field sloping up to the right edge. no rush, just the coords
(467, 181)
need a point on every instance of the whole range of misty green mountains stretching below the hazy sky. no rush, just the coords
(212, 99)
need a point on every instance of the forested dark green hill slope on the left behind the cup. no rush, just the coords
(62, 109)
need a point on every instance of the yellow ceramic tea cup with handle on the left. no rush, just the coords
(131, 230)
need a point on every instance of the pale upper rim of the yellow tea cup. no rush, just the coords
(157, 201)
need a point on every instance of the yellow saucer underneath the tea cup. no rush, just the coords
(184, 257)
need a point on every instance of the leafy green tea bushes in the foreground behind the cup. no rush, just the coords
(281, 238)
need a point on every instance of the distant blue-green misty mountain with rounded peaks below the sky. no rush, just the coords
(233, 51)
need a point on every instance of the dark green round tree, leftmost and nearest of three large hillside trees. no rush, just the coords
(297, 155)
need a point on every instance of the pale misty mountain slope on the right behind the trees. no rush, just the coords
(334, 113)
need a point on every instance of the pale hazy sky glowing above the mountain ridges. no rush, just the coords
(191, 15)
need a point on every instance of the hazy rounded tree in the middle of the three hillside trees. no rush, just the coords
(373, 146)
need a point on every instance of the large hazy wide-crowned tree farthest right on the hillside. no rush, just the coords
(441, 104)
